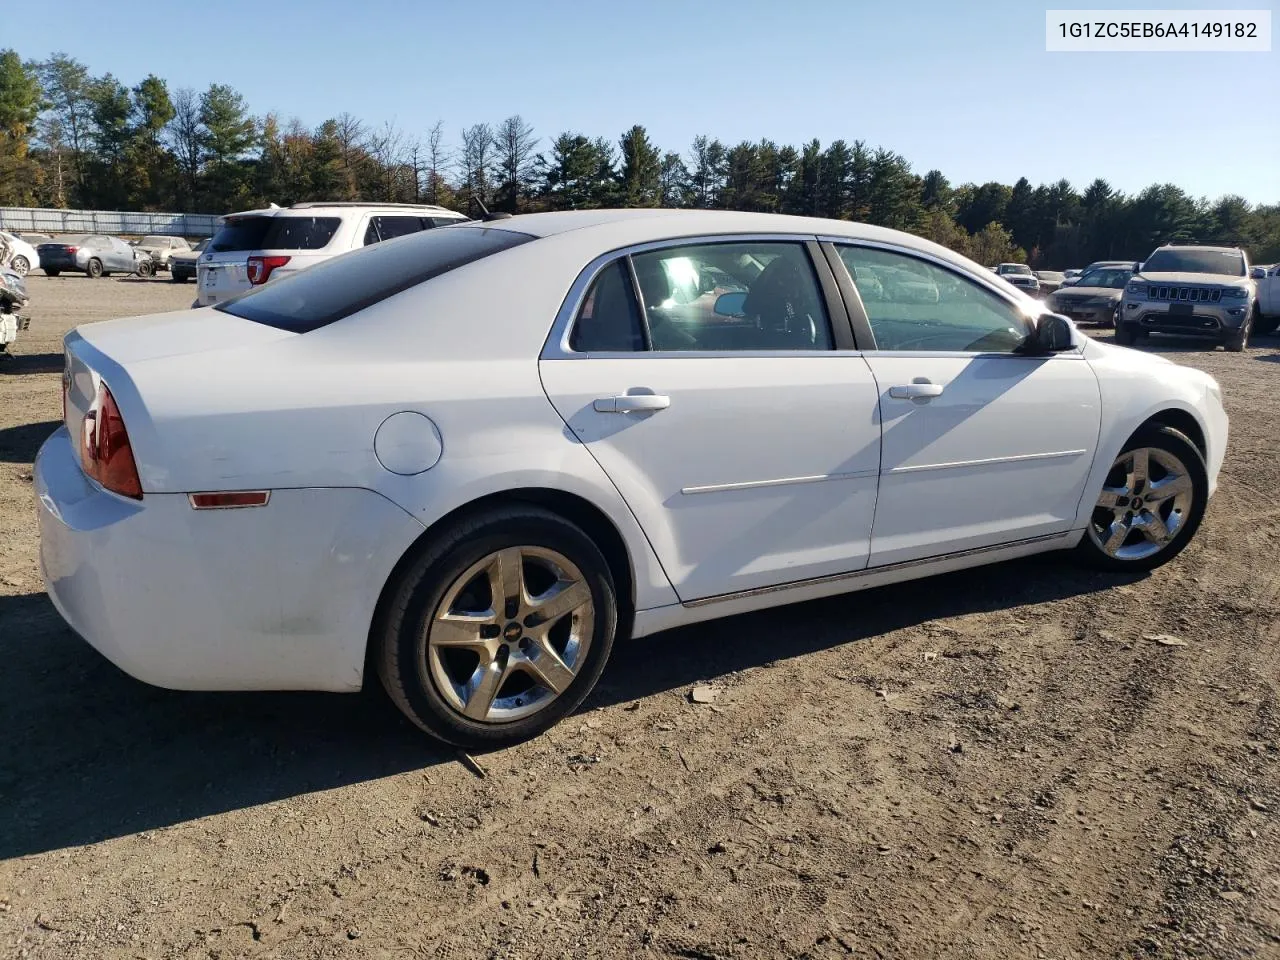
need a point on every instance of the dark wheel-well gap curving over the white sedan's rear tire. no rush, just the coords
(578, 510)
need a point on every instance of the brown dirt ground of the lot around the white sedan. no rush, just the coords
(991, 765)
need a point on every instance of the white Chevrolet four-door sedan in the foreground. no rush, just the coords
(474, 458)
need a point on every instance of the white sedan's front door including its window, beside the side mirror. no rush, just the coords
(982, 446)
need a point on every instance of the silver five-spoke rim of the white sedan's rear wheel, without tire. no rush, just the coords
(510, 636)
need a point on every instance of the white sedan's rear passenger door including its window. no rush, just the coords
(746, 445)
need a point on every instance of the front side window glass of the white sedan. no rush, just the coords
(913, 305)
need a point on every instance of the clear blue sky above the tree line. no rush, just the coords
(966, 88)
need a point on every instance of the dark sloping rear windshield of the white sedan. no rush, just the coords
(337, 289)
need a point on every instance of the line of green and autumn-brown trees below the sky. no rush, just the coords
(70, 139)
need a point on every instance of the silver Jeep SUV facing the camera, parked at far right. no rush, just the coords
(1191, 290)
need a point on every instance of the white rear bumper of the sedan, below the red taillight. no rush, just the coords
(272, 598)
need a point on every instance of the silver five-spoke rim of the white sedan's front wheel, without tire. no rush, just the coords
(1146, 501)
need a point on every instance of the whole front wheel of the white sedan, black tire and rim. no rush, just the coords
(1178, 493)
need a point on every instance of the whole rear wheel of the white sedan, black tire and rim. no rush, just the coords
(433, 673)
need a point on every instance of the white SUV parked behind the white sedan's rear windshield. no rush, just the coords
(255, 246)
